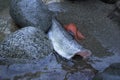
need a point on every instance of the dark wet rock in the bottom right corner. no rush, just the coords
(111, 73)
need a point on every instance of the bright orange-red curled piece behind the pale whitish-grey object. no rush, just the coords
(73, 30)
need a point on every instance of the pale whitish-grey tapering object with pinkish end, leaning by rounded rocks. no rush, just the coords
(64, 44)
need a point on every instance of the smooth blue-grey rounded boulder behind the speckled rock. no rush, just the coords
(31, 13)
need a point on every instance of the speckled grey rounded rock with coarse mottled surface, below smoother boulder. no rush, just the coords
(28, 43)
